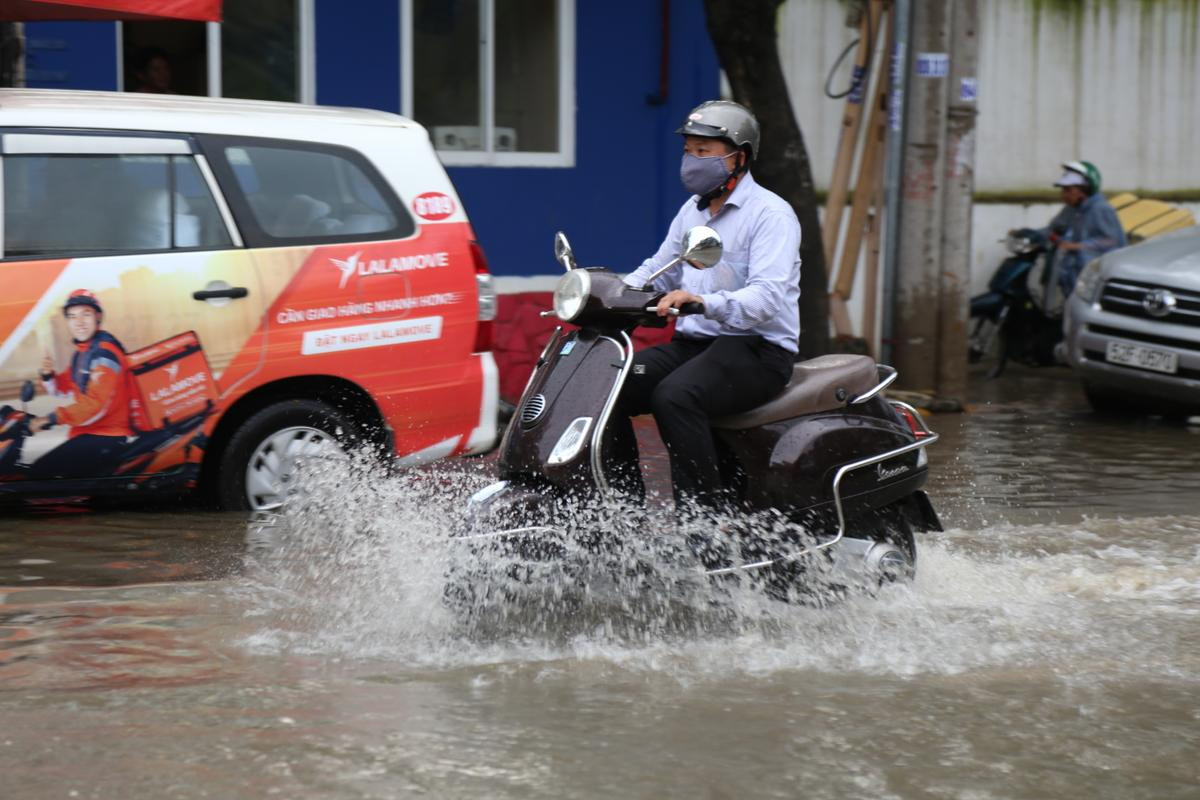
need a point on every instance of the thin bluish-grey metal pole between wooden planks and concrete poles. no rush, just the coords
(902, 11)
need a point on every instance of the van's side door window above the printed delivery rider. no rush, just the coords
(73, 204)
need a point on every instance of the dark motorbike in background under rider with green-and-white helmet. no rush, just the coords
(1021, 316)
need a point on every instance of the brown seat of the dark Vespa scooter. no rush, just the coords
(821, 384)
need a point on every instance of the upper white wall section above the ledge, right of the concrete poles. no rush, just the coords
(1115, 83)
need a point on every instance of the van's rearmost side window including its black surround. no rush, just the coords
(297, 194)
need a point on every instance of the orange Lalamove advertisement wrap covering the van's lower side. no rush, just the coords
(141, 388)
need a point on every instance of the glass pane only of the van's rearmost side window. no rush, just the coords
(313, 195)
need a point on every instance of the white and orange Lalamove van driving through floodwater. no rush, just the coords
(199, 293)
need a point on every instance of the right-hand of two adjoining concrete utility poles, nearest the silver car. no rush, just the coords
(951, 387)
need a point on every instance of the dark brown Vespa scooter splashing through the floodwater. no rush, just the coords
(831, 458)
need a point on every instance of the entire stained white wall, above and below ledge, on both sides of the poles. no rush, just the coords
(1115, 82)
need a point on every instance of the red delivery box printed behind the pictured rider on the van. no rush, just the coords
(173, 381)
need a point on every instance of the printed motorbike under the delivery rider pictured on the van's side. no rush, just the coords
(140, 456)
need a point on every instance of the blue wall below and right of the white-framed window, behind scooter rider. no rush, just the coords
(617, 202)
